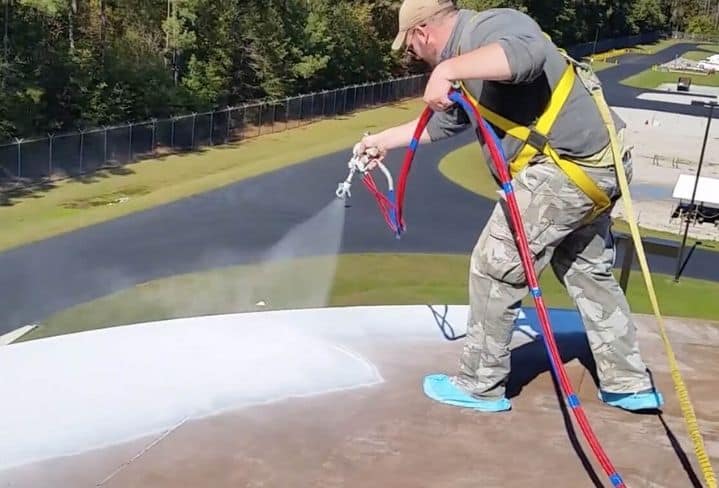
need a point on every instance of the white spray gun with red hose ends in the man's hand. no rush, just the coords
(359, 164)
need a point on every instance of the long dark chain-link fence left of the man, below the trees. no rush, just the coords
(78, 153)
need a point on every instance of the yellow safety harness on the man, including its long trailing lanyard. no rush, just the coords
(535, 140)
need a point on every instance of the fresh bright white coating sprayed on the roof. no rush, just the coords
(72, 393)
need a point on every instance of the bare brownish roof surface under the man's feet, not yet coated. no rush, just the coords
(392, 435)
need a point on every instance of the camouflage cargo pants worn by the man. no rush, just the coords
(581, 256)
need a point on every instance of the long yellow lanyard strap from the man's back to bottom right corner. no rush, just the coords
(684, 401)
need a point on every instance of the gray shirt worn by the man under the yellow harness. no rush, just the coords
(536, 66)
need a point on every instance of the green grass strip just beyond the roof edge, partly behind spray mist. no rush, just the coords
(359, 279)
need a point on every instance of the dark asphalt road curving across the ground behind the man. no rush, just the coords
(239, 223)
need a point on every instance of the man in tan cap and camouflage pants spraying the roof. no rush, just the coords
(507, 64)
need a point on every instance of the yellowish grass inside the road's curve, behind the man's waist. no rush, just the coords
(466, 167)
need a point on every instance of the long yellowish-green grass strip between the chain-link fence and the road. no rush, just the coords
(72, 204)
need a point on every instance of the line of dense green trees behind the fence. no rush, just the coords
(72, 64)
